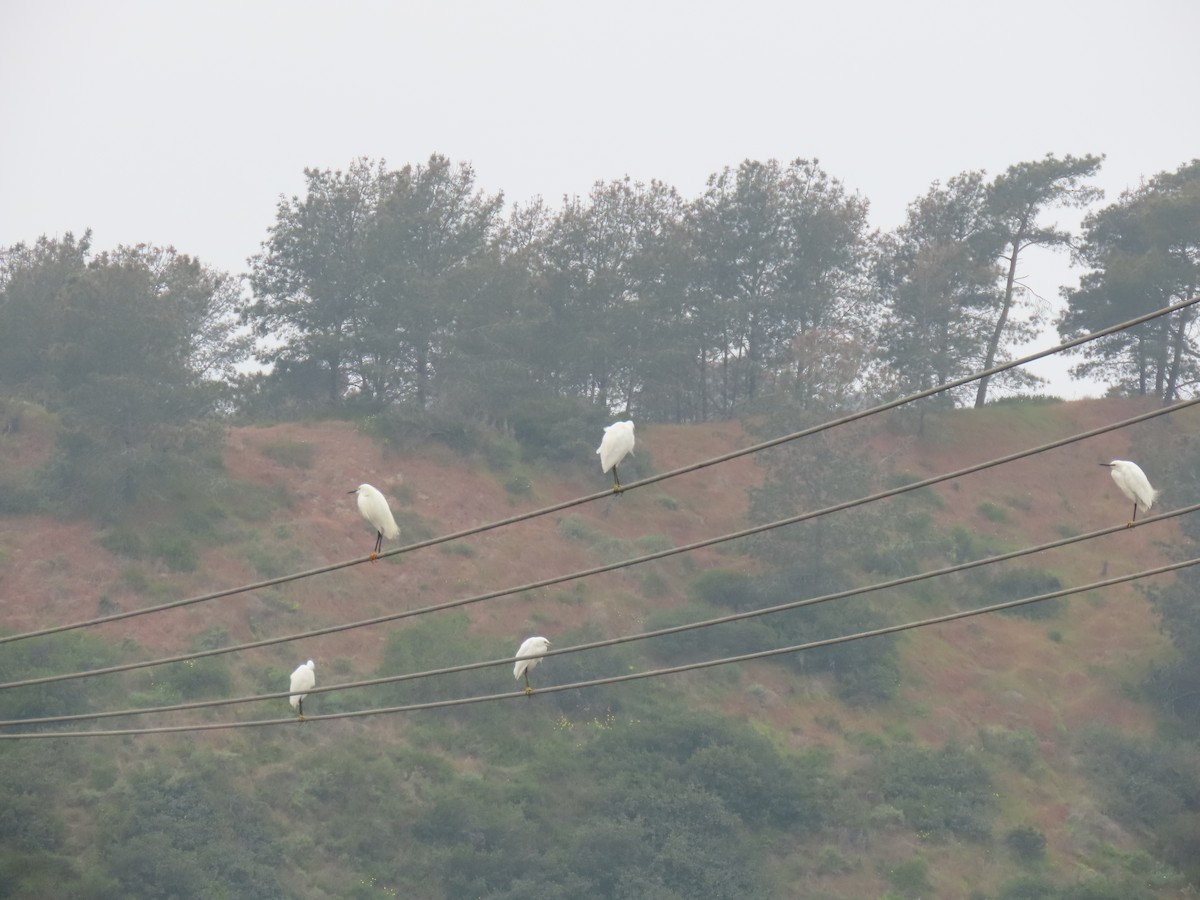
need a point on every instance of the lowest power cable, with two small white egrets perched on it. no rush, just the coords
(628, 677)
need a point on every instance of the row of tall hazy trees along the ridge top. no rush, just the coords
(382, 287)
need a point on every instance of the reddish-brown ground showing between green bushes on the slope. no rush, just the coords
(959, 677)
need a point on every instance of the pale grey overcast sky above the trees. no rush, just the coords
(183, 123)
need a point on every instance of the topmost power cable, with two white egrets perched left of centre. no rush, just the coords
(579, 501)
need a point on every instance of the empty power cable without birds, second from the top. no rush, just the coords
(610, 567)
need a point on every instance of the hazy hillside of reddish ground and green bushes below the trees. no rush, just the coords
(998, 757)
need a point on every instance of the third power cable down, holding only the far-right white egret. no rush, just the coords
(615, 641)
